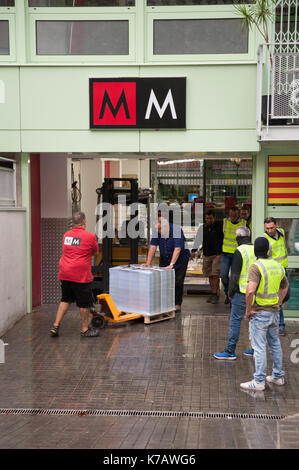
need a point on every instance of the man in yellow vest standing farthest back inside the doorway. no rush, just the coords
(229, 246)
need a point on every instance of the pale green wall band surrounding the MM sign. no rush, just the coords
(47, 110)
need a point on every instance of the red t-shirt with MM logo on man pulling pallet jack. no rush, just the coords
(78, 246)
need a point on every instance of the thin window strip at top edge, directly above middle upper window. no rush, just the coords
(81, 3)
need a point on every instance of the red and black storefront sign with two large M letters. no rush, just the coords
(138, 103)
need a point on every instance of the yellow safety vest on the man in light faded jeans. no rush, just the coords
(272, 274)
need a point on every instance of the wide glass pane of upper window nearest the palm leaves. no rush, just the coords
(200, 36)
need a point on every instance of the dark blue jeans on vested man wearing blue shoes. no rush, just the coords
(237, 312)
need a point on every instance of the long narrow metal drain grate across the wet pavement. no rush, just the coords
(141, 413)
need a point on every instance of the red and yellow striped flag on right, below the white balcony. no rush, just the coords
(283, 179)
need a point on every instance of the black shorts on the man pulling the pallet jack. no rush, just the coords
(79, 292)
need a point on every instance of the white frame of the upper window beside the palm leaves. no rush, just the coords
(196, 13)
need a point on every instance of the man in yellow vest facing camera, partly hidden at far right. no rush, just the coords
(277, 251)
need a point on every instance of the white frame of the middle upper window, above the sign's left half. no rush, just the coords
(91, 15)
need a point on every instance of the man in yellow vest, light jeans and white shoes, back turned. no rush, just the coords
(266, 289)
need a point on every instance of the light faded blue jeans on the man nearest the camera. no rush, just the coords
(263, 331)
